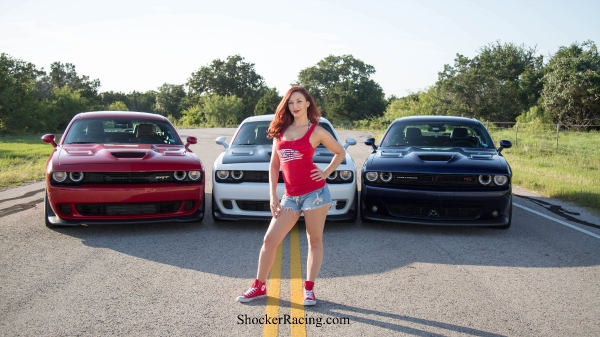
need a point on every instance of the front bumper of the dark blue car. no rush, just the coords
(428, 207)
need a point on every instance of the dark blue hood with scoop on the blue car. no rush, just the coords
(437, 160)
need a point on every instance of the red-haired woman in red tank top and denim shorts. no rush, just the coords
(296, 133)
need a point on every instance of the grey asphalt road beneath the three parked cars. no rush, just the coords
(539, 278)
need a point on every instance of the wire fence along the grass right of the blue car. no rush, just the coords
(549, 139)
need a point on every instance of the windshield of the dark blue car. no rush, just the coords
(437, 135)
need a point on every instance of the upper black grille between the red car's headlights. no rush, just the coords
(128, 177)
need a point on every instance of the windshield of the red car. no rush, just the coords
(121, 131)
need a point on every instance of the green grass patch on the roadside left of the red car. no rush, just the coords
(22, 159)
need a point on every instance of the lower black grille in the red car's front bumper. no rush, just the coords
(128, 209)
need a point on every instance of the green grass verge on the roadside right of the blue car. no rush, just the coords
(569, 172)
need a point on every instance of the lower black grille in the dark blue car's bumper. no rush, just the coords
(432, 212)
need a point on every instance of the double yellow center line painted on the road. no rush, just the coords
(296, 292)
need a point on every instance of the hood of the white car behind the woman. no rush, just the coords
(262, 153)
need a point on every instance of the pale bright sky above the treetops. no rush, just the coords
(140, 45)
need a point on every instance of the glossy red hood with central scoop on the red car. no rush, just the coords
(130, 155)
